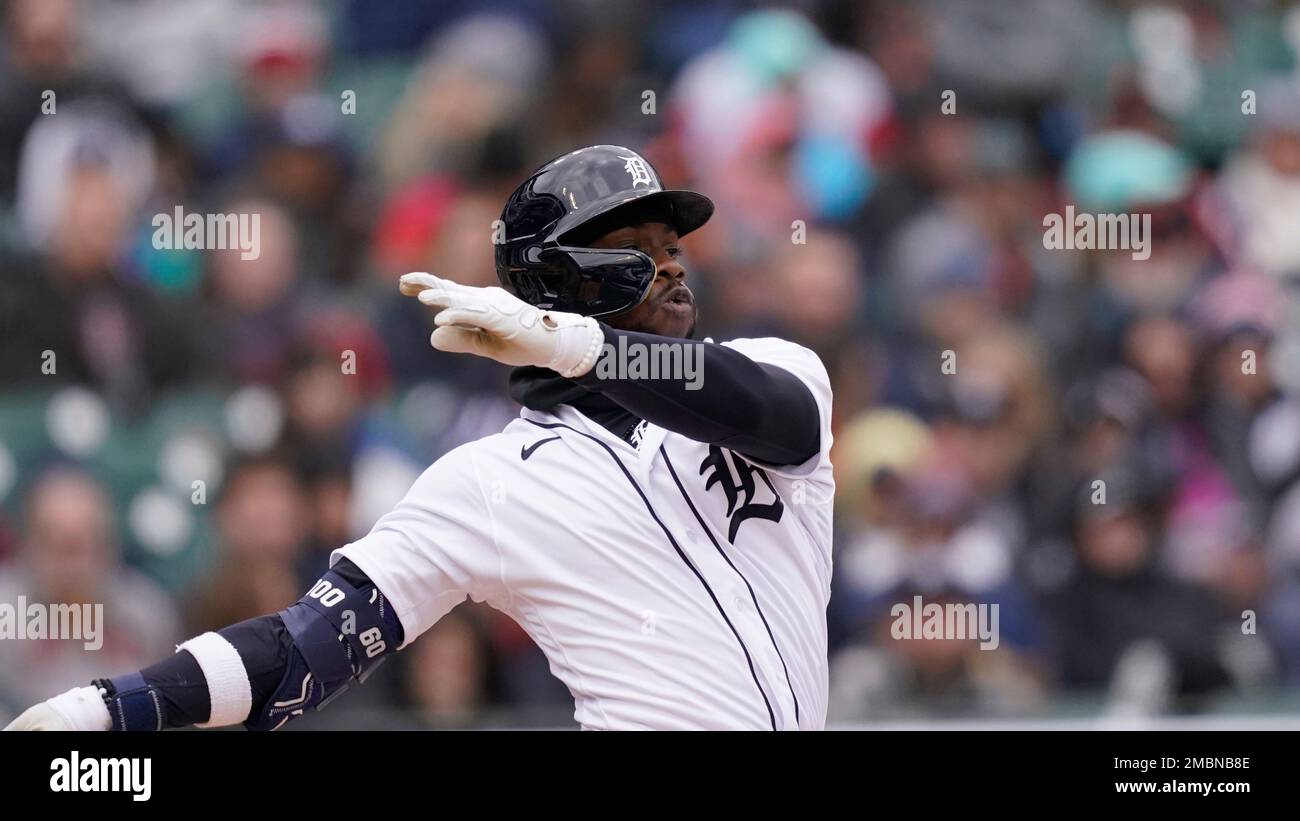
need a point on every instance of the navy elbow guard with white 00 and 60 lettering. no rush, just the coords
(341, 633)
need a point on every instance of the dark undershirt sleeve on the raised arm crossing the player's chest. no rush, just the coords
(757, 410)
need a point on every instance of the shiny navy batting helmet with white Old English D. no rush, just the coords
(574, 199)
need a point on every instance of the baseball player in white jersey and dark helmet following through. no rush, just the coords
(665, 541)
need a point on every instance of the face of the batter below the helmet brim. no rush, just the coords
(670, 310)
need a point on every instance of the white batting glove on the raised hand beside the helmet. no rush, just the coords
(496, 324)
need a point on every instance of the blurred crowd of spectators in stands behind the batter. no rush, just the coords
(1108, 449)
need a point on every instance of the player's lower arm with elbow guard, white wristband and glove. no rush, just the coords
(262, 672)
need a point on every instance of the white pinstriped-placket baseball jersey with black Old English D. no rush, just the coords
(671, 584)
